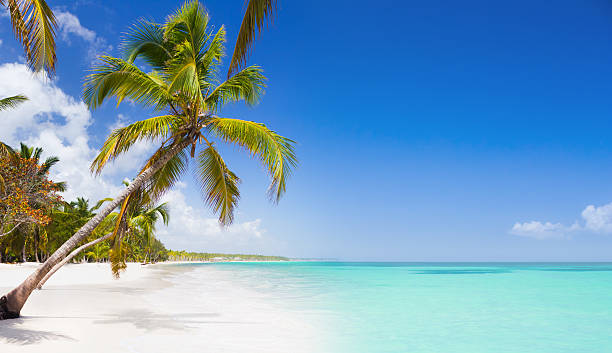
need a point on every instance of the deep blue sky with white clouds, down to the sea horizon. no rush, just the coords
(427, 131)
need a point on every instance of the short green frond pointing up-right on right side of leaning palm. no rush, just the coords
(247, 85)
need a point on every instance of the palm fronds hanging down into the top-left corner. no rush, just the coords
(34, 26)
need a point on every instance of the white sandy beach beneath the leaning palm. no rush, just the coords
(158, 308)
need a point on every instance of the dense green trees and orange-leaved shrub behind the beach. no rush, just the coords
(36, 221)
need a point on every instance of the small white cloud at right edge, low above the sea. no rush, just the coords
(595, 220)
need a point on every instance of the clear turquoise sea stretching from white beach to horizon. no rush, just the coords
(436, 308)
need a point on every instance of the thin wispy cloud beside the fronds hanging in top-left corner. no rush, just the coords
(70, 25)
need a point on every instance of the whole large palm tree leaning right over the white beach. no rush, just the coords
(184, 56)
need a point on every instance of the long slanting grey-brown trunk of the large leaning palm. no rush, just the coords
(13, 301)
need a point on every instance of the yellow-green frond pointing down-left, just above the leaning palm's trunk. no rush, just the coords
(122, 139)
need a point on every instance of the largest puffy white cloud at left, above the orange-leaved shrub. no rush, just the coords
(58, 123)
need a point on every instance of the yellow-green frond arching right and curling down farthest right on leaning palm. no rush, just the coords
(275, 152)
